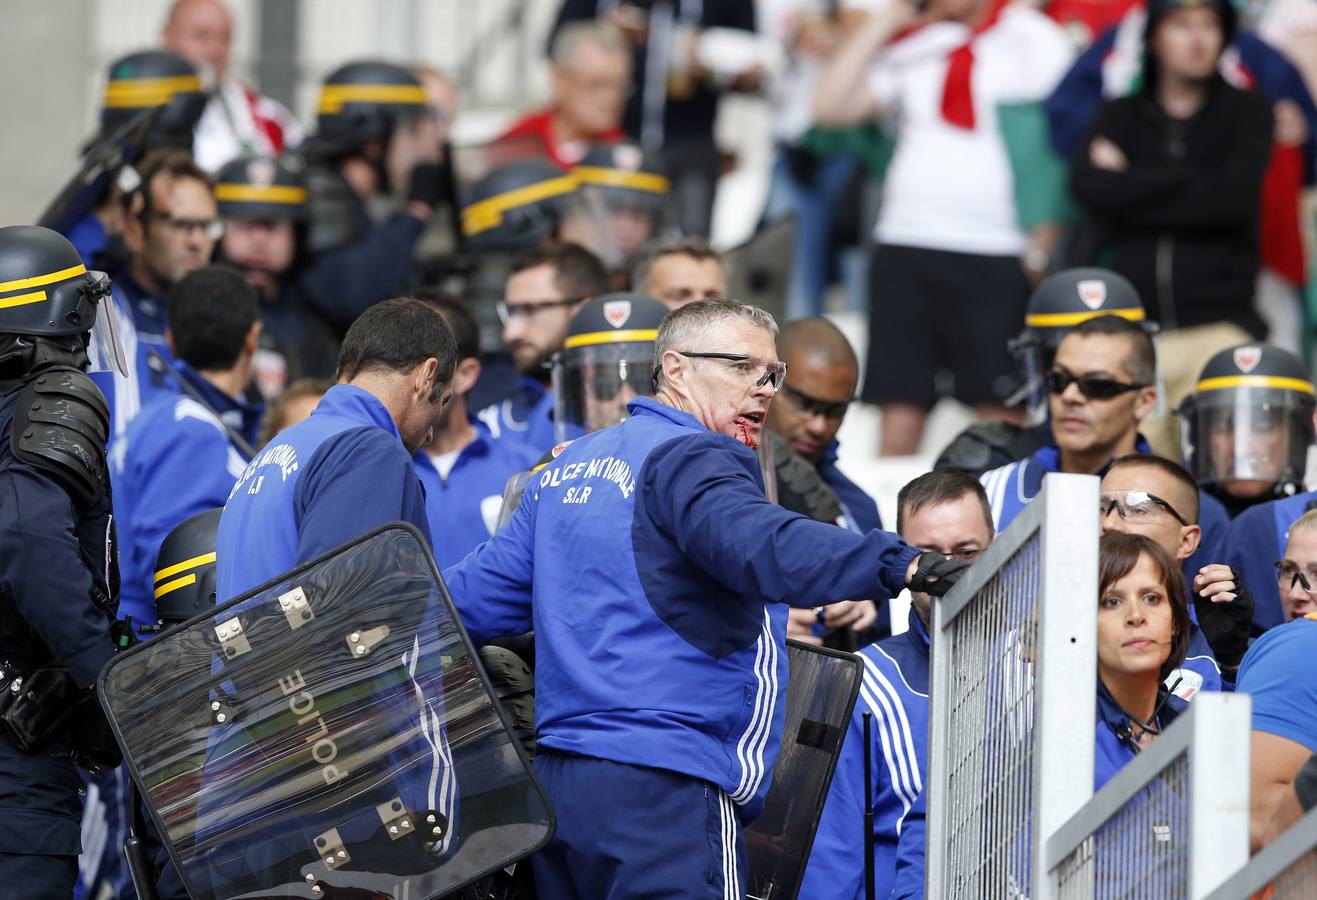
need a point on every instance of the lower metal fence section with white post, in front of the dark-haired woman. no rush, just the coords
(1174, 823)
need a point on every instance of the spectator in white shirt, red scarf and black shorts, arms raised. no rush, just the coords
(949, 279)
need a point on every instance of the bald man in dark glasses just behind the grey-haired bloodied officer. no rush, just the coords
(821, 378)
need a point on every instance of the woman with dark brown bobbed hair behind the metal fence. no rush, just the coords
(1142, 637)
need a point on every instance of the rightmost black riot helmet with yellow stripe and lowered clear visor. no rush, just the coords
(1248, 426)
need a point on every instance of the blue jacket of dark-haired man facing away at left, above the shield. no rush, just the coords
(175, 462)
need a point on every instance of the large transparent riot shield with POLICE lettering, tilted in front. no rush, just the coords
(327, 735)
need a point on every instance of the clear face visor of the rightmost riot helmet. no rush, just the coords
(1248, 441)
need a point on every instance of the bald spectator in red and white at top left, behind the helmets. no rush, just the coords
(238, 121)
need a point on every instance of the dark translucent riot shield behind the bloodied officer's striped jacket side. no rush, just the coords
(821, 694)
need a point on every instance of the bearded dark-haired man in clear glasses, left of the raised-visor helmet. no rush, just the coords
(543, 293)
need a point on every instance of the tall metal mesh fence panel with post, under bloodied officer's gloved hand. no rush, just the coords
(1013, 699)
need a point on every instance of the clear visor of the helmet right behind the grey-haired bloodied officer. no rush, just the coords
(593, 385)
